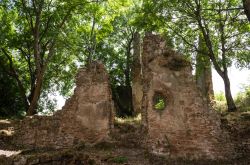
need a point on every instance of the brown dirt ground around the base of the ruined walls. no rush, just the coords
(126, 147)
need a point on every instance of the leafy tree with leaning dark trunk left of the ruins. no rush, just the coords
(32, 44)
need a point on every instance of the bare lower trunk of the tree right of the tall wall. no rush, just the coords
(230, 102)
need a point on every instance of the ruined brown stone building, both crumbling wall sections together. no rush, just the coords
(177, 122)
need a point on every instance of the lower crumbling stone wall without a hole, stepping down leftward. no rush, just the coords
(86, 117)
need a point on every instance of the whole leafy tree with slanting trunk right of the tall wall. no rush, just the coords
(223, 28)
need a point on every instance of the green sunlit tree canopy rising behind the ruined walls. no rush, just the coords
(43, 42)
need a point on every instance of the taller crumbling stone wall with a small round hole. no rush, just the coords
(187, 127)
